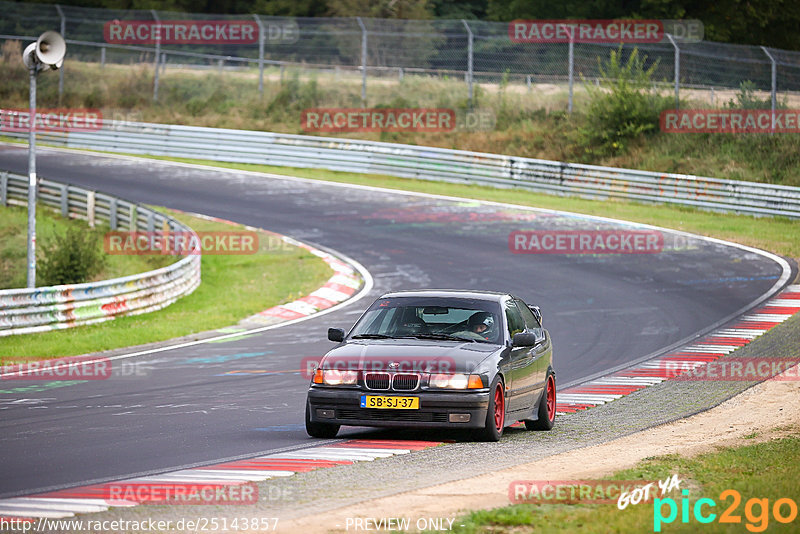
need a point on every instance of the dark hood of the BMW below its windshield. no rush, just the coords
(409, 355)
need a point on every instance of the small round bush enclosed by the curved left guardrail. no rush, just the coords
(70, 258)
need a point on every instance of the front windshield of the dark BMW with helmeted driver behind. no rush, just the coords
(459, 319)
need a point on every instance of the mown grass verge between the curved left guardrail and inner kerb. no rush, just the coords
(233, 287)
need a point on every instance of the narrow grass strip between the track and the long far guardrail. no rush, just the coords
(776, 234)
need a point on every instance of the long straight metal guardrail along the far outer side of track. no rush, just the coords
(428, 163)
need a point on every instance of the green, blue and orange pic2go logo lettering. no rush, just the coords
(756, 511)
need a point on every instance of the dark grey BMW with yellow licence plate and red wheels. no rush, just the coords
(437, 358)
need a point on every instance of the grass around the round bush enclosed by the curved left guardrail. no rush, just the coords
(13, 246)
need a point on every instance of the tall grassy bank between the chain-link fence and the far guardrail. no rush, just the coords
(530, 123)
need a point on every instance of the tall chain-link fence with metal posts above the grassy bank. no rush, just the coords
(475, 51)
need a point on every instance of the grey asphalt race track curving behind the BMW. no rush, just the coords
(602, 311)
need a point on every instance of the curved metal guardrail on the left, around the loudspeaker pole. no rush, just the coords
(24, 311)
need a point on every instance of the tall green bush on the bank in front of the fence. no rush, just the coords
(624, 106)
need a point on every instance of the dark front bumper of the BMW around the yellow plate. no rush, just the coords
(447, 409)
